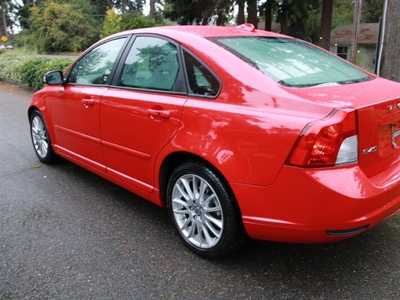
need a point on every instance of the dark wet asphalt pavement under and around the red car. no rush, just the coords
(68, 234)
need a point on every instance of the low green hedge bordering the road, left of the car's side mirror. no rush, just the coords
(27, 68)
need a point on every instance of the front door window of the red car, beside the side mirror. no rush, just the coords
(96, 65)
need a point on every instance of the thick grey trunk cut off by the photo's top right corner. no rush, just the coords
(390, 63)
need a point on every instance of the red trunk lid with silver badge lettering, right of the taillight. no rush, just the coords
(378, 118)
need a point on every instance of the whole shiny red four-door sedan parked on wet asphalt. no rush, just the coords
(237, 132)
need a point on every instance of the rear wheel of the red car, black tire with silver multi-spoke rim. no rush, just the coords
(203, 210)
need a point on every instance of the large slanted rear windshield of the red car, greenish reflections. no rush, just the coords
(291, 62)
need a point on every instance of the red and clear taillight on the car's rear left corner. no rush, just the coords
(328, 142)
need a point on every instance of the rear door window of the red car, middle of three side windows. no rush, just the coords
(152, 63)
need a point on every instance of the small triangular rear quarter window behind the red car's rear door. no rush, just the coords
(201, 80)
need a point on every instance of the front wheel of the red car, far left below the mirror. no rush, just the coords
(40, 138)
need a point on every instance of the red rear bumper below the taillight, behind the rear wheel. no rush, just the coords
(318, 206)
